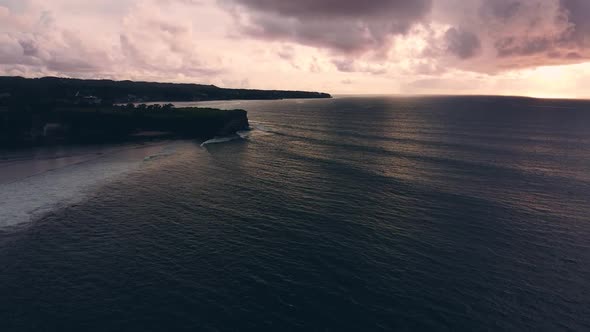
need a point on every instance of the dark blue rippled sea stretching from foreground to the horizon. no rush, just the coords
(362, 214)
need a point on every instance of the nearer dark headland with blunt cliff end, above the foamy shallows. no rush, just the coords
(108, 124)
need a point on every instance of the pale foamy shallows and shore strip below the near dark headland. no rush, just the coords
(45, 179)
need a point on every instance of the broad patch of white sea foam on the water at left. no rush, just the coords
(26, 198)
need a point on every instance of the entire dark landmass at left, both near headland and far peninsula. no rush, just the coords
(61, 110)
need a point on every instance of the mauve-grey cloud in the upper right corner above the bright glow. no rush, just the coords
(538, 33)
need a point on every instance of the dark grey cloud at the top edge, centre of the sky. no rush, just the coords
(346, 26)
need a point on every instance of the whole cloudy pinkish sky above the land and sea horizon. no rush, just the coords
(538, 48)
